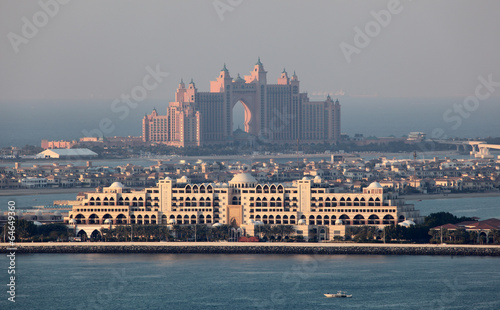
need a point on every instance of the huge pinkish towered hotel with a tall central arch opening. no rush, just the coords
(274, 113)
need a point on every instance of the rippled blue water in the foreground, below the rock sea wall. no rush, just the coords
(196, 281)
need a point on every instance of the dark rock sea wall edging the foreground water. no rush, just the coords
(228, 249)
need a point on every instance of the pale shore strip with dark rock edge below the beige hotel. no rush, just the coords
(252, 248)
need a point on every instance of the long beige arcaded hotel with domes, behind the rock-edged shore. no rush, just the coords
(311, 205)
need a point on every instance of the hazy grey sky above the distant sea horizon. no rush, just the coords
(97, 50)
